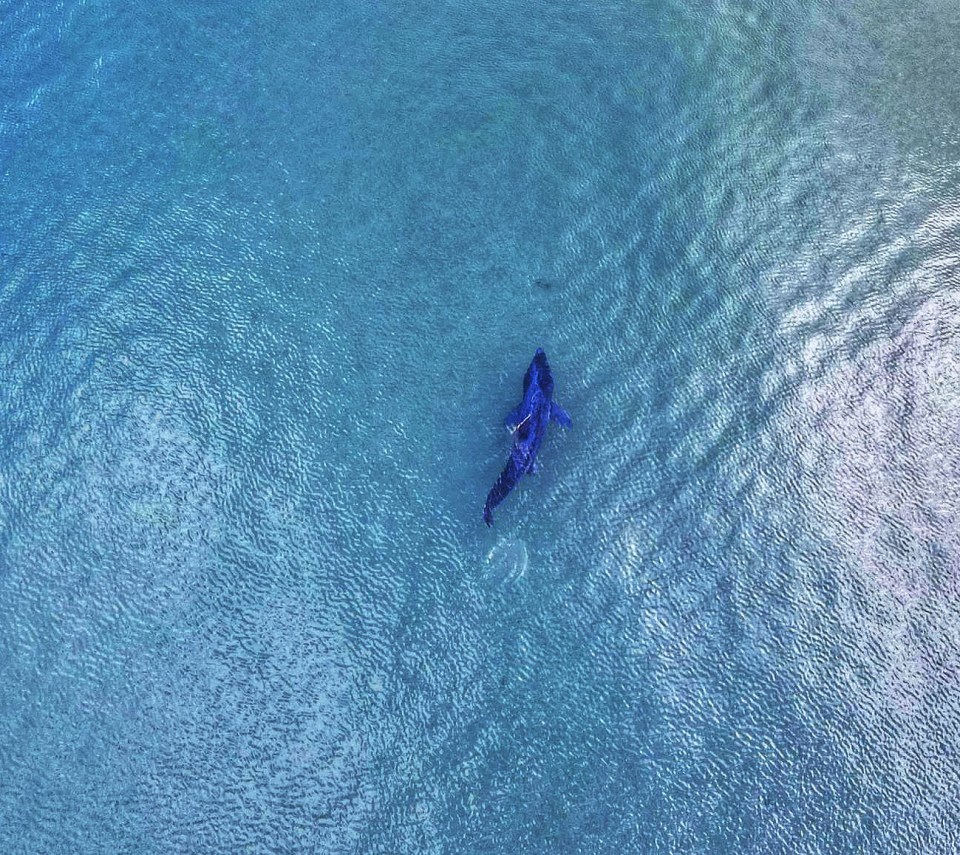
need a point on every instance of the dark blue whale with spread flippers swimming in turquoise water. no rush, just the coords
(528, 422)
